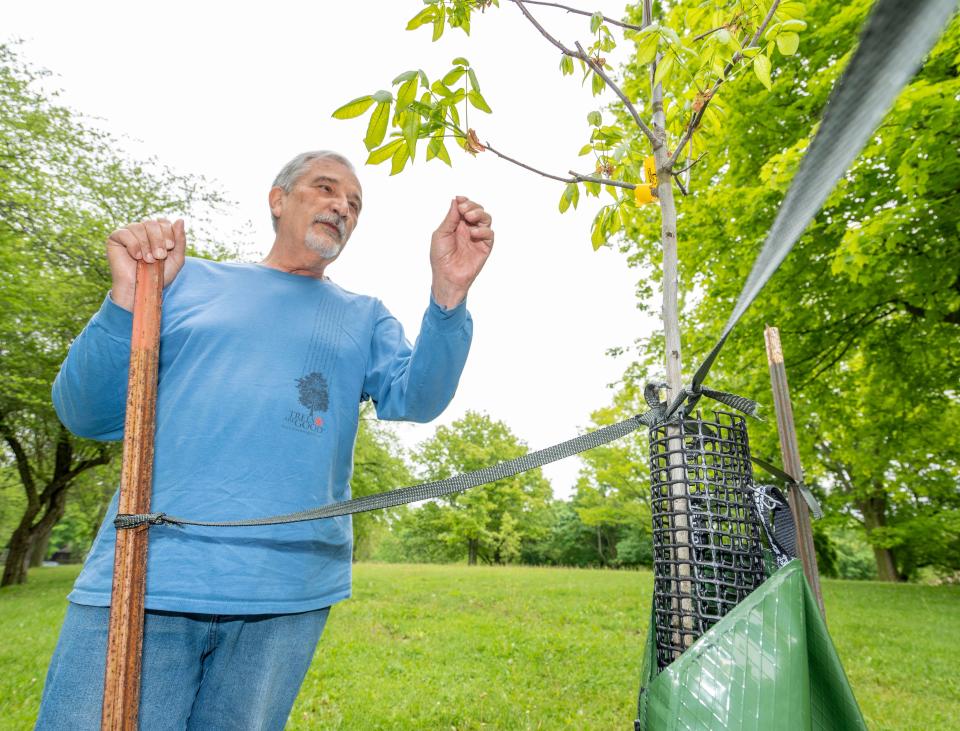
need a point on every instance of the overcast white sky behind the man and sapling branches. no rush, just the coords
(232, 91)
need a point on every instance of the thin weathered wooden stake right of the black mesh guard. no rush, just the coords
(790, 452)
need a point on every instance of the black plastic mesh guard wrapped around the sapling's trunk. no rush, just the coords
(707, 553)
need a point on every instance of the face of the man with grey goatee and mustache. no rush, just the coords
(321, 209)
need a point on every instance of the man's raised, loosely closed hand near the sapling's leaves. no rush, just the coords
(458, 250)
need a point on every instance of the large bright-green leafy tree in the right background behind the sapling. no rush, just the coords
(868, 302)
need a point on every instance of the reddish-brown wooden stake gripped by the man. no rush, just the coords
(121, 689)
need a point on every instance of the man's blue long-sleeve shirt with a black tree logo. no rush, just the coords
(261, 375)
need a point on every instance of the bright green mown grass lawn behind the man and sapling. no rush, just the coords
(452, 647)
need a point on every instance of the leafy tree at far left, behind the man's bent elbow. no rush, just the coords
(63, 188)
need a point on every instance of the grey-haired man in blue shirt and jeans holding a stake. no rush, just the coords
(262, 369)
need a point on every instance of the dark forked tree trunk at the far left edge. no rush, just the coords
(47, 503)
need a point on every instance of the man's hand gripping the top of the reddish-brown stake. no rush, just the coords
(153, 240)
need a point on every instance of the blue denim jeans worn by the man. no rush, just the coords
(200, 671)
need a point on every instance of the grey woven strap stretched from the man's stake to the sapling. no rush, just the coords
(415, 493)
